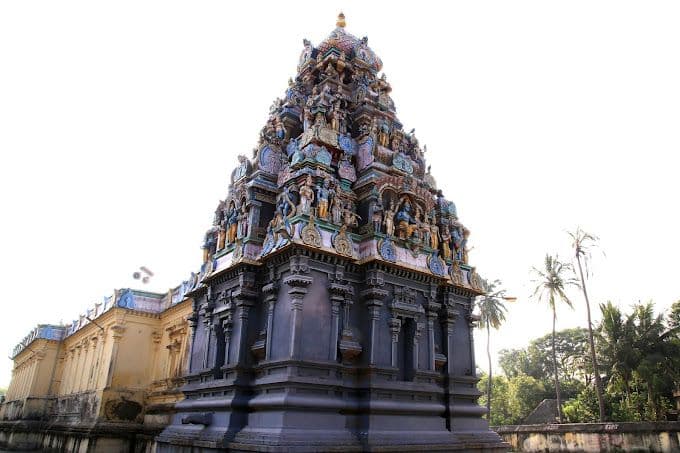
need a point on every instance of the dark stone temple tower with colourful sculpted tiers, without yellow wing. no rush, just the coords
(334, 310)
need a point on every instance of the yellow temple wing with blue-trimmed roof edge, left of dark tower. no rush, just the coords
(121, 360)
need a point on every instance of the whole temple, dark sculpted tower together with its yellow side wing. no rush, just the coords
(332, 310)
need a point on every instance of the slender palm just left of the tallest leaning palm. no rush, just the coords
(551, 283)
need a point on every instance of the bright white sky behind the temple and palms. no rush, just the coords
(120, 123)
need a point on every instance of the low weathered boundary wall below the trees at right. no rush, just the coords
(594, 437)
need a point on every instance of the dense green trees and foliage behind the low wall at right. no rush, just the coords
(639, 361)
